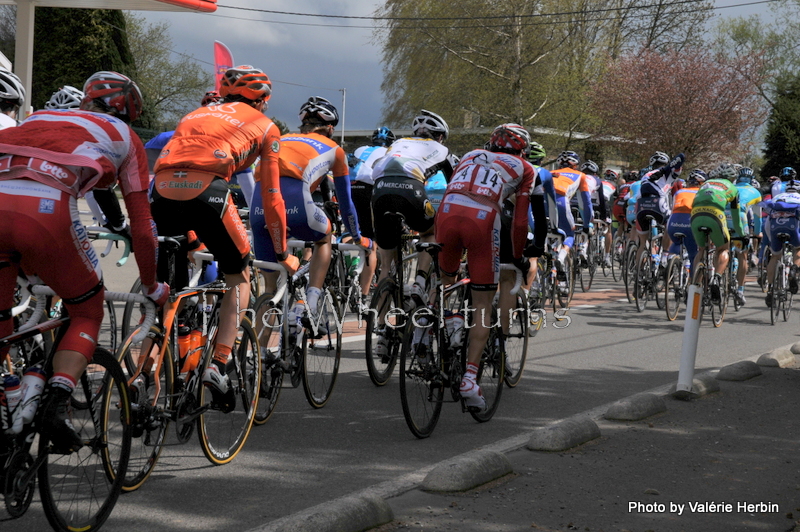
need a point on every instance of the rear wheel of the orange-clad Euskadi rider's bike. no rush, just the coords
(148, 418)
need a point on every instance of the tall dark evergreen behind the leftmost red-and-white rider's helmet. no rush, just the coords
(72, 44)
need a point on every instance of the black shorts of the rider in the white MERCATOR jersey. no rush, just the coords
(404, 195)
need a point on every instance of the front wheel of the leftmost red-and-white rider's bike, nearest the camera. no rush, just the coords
(79, 490)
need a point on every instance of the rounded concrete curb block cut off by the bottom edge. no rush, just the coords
(348, 514)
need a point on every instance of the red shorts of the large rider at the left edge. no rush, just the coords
(41, 232)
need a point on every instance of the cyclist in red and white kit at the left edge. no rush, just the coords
(49, 160)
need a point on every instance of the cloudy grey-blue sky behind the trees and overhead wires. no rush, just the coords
(315, 55)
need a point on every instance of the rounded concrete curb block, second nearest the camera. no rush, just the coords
(466, 472)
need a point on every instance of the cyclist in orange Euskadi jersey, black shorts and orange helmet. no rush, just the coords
(190, 193)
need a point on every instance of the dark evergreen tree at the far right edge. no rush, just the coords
(782, 142)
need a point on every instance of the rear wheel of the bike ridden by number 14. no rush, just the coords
(421, 374)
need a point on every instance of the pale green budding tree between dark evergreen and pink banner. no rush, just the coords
(171, 88)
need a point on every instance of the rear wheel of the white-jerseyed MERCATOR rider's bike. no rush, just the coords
(380, 366)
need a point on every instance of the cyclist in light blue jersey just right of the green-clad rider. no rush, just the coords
(749, 209)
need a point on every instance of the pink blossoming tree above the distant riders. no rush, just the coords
(690, 101)
